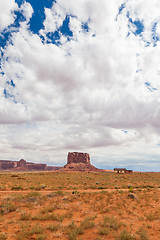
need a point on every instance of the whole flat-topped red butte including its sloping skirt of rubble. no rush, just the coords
(77, 161)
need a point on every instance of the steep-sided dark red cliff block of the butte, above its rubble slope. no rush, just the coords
(77, 157)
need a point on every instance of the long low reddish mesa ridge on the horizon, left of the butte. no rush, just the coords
(23, 165)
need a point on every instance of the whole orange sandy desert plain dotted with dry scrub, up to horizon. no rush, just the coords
(79, 205)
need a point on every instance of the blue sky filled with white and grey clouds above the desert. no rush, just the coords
(81, 76)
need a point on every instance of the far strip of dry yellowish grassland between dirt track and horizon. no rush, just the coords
(82, 180)
